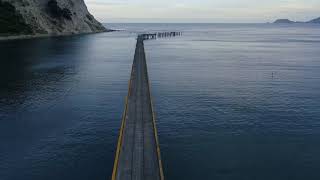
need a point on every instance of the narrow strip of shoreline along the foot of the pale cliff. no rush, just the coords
(36, 36)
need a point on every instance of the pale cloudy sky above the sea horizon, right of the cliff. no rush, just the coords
(203, 11)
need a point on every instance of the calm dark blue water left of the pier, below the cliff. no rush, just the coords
(59, 113)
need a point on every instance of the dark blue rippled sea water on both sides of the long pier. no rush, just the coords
(232, 102)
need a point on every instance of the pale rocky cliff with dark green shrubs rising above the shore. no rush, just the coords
(52, 17)
